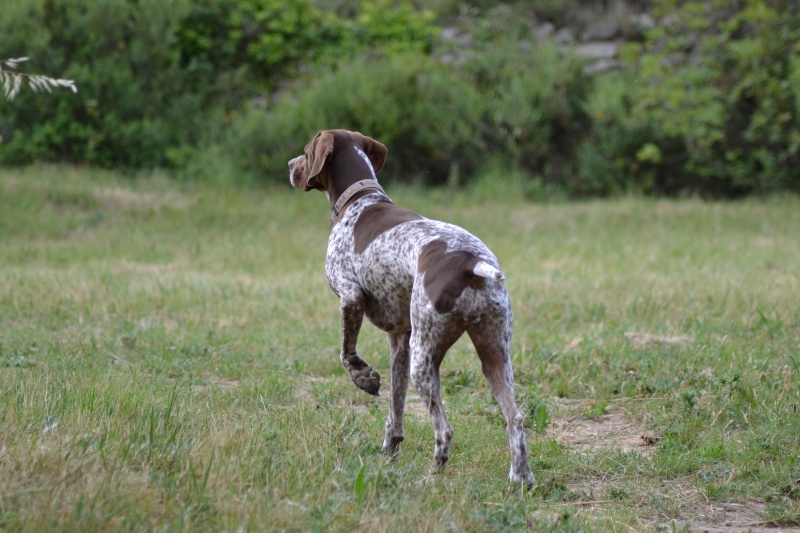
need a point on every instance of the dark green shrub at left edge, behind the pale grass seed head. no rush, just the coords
(130, 103)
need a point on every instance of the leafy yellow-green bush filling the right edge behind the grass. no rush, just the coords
(715, 88)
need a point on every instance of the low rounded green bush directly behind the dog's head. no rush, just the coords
(428, 116)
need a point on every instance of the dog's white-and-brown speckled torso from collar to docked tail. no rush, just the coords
(389, 249)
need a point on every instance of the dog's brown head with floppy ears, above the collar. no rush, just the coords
(334, 160)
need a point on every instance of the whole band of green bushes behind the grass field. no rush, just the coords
(706, 100)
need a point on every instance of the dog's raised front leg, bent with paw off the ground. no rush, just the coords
(351, 309)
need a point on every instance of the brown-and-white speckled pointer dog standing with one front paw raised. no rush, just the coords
(421, 281)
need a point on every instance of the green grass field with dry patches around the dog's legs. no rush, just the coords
(168, 360)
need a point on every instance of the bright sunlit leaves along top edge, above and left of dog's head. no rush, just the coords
(272, 38)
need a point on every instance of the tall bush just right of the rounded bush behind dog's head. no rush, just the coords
(534, 93)
